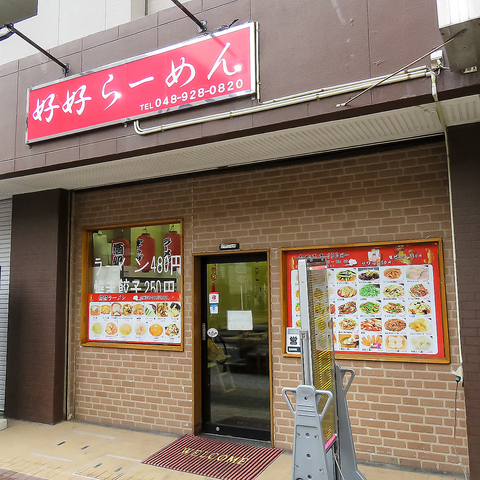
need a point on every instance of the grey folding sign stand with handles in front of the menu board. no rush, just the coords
(323, 446)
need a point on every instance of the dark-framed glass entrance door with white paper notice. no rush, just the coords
(235, 346)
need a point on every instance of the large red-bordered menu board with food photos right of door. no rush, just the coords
(386, 300)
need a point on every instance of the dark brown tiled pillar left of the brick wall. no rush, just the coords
(37, 307)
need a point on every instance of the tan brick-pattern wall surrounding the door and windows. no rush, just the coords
(401, 413)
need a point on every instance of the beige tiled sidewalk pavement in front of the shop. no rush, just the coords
(74, 451)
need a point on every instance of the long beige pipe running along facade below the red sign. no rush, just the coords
(286, 101)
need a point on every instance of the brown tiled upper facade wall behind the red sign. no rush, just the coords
(302, 45)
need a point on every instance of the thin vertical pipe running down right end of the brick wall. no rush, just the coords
(436, 59)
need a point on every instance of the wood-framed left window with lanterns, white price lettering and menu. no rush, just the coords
(133, 286)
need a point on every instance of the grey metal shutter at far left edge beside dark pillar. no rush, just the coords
(5, 238)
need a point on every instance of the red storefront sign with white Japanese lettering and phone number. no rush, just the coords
(205, 69)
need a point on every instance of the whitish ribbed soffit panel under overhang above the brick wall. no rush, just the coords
(395, 125)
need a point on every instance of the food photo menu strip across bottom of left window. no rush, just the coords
(146, 319)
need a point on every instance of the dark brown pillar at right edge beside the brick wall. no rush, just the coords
(465, 168)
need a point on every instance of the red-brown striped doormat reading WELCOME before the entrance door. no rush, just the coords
(214, 458)
